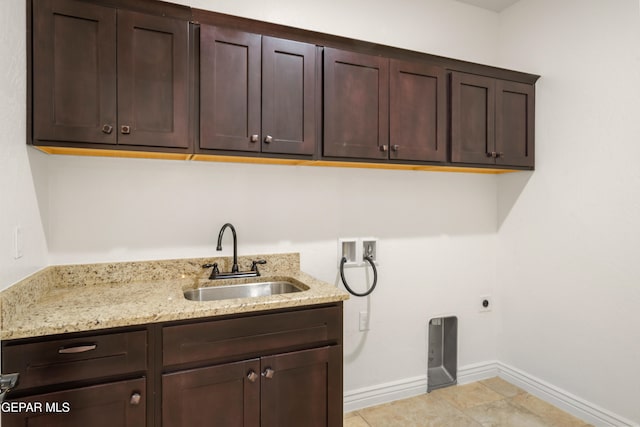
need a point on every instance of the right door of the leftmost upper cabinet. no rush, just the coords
(153, 82)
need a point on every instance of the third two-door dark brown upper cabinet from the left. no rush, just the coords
(379, 108)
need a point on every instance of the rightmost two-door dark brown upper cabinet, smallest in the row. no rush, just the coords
(492, 121)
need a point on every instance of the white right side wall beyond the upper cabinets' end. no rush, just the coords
(569, 276)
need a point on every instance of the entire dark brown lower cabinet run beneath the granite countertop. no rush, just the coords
(275, 369)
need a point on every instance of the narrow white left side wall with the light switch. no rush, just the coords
(18, 202)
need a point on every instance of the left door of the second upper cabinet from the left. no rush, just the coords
(229, 89)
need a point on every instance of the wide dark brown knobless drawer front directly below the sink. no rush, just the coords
(231, 339)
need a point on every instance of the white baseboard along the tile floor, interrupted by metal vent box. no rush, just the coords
(410, 387)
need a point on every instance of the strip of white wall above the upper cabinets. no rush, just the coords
(440, 27)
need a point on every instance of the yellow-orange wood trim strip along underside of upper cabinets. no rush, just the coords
(263, 160)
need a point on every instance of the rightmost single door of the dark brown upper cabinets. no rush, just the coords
(514, 124)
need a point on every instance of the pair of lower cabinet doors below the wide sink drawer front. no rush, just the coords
(290, 389)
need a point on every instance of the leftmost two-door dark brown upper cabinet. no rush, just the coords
(109, 77)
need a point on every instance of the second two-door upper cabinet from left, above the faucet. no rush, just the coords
(257, 93)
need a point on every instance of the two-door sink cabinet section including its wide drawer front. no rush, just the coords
(271, 370)
